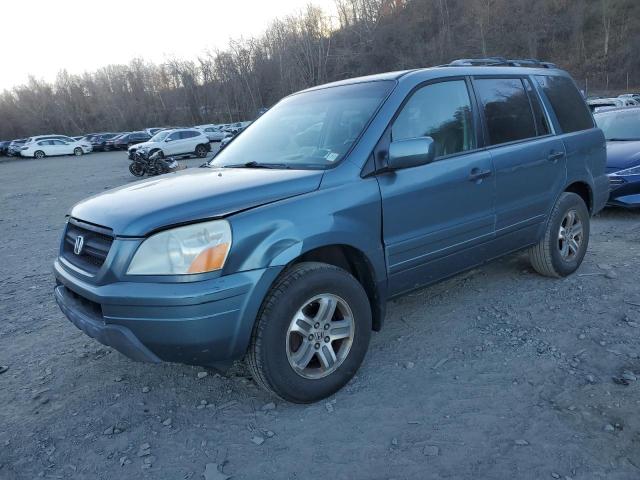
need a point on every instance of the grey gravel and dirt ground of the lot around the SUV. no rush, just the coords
(496, 373)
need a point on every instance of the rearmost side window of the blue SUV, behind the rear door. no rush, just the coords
(571, 109)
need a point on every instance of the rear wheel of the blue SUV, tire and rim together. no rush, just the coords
(565, 242)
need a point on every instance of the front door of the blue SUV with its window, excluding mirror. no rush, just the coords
(437, 217)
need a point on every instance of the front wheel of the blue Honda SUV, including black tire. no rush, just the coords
(272, 353)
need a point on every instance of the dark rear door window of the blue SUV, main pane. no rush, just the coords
(506, 108)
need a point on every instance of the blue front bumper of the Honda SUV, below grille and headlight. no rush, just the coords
(199, 323)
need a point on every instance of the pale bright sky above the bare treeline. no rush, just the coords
(41, 37)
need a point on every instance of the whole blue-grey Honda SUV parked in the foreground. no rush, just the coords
(286, 247)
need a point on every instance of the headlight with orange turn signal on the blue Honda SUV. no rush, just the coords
(198, 248)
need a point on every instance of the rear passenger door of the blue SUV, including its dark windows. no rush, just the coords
(529, 161)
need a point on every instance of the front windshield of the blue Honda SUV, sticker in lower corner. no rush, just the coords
(308, 130)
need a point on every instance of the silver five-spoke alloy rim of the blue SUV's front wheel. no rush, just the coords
(320, 336)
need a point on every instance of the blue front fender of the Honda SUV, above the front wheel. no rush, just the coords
(278, 233)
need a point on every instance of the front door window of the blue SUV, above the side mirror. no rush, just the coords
(441, 111)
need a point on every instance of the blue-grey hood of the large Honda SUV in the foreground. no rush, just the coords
(190, 195)
